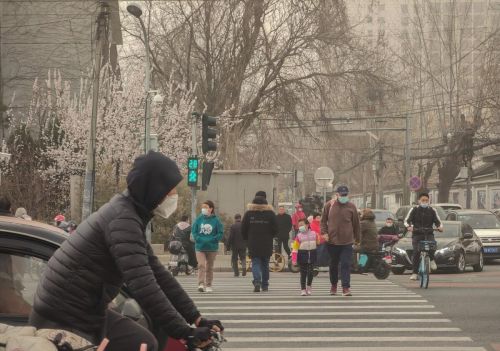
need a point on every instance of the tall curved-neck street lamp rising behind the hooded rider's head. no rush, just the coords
(136, 11)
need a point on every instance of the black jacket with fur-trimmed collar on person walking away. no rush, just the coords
(259, 227)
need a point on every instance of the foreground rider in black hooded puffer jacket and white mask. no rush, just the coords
(109, 249)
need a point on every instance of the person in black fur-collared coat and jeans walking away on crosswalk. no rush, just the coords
(259, 227)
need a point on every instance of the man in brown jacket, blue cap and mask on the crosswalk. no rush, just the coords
(340, 220)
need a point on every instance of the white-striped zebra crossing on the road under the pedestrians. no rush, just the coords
(379, 316)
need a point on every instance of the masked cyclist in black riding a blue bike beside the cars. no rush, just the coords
(422, 216)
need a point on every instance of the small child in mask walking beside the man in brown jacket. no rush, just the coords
(304, 253)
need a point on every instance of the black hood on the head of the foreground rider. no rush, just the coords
(152, 177)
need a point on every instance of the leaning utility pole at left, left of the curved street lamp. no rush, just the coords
(89, 185)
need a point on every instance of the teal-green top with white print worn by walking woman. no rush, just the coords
(207, 232)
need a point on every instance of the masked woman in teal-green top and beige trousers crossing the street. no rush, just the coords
(207, 232)
